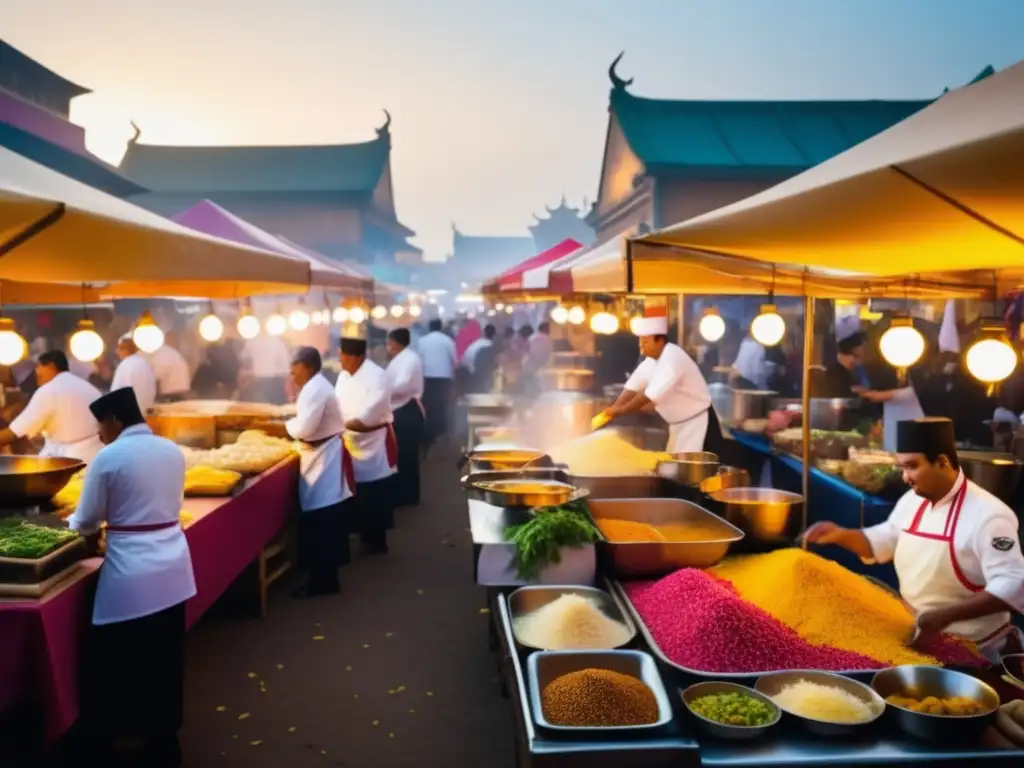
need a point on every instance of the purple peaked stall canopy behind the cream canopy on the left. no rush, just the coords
(206, 217)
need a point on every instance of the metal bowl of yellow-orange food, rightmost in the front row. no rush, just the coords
(921, 681)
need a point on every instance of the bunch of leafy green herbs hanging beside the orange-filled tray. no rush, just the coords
(539, 542)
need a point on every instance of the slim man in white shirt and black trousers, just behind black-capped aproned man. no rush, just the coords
(405, 374)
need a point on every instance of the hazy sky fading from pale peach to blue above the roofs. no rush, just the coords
(499, 106)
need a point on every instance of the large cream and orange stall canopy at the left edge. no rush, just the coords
(57, 230)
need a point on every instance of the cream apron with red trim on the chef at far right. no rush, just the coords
(931, 578)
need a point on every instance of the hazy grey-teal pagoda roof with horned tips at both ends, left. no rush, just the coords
(323, 168)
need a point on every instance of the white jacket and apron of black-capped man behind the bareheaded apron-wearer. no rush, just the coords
(367, 397)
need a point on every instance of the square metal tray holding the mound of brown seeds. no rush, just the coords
(546, 666)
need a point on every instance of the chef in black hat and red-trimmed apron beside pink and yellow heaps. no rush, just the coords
(956, 547)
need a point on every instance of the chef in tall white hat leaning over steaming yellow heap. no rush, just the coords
(677, 390)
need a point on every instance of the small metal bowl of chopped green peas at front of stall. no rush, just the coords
(731, 711)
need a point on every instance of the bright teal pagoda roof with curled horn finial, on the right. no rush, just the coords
(712, 136)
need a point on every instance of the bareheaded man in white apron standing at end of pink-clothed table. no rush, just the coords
(326, 480)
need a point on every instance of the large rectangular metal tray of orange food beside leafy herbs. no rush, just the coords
(658, 559)
